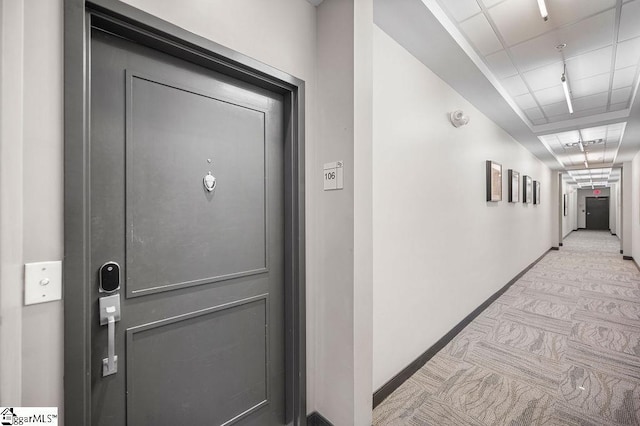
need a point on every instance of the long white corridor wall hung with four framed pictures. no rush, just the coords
(440, 249)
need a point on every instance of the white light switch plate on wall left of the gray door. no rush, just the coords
(42, 282)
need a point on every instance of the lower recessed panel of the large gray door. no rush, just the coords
(228, 356)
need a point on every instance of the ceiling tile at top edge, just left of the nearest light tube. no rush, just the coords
(527, 25)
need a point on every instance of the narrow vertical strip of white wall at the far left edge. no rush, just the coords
(11, 199)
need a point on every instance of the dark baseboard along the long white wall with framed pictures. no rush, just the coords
(394, 383)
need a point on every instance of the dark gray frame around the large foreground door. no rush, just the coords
(141, 27)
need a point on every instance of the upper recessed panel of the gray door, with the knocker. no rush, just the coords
(182, 145)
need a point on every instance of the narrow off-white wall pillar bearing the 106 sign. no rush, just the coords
(343, 321)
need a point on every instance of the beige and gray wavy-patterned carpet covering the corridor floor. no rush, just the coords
(560, 347)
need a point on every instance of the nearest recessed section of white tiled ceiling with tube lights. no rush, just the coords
(603, 47)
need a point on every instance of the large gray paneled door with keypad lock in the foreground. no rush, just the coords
(200, 340)
